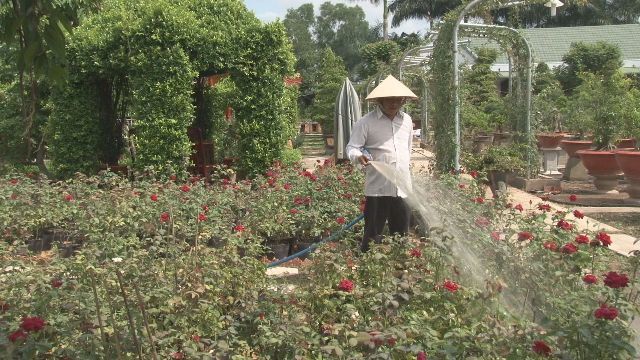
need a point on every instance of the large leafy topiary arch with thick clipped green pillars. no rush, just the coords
(146, 60)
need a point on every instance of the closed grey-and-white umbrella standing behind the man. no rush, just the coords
(347, 112)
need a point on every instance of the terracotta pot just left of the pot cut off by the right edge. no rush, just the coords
(602, 165)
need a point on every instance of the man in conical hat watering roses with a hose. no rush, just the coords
(384, 136)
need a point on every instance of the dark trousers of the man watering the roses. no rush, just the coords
(377, 211)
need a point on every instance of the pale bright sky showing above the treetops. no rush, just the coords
(269, 10)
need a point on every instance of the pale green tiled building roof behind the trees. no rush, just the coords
(550, 44)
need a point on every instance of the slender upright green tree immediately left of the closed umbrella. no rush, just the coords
(332, 75)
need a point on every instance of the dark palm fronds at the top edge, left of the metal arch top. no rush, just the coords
(429, 10)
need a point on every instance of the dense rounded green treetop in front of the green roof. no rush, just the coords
(600, 58)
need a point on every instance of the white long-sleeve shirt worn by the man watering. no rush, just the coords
(388, 141)
